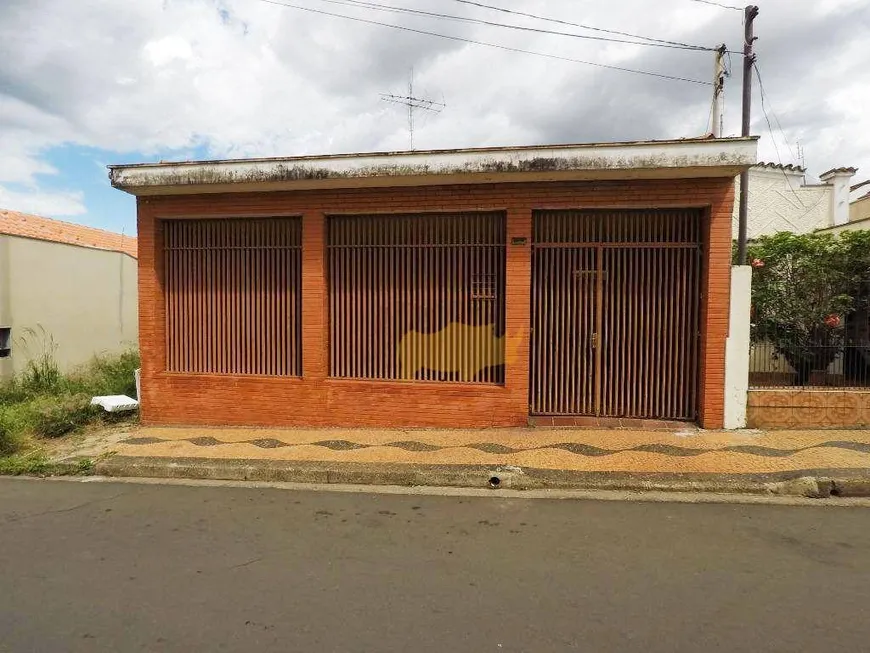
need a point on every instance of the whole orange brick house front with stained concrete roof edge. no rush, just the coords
(461, 288)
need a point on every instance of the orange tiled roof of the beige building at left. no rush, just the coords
(25, 225)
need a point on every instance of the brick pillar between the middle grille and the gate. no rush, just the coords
(517, 320)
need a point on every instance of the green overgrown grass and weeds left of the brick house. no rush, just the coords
(42, 402)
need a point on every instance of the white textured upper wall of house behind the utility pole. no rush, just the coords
(779, 202)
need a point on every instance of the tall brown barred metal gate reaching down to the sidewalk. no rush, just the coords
(615, 303)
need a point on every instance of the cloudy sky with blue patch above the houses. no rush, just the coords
(87, 83)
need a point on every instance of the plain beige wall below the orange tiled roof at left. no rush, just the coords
(85, 299)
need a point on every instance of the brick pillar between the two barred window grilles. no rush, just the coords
(315, 352)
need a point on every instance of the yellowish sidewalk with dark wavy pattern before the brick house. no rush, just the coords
(523, 458)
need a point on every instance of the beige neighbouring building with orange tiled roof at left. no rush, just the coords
(64, 287)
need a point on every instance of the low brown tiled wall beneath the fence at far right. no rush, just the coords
(785, 409)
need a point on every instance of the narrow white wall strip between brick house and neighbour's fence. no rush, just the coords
(737, 348)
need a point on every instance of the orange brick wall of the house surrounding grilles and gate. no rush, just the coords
(317, 400)
